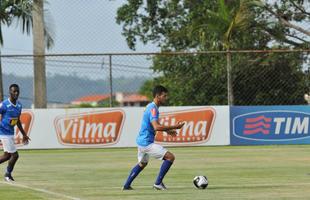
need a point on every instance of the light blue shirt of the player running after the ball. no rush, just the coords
(147, 133)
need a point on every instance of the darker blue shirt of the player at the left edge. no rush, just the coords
(9, 117)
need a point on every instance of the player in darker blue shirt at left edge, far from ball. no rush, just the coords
(10, 111)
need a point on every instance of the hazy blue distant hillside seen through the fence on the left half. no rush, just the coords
(63, 89)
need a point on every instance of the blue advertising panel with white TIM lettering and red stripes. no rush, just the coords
(257, 125)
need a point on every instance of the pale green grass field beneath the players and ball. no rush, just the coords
(249, 172)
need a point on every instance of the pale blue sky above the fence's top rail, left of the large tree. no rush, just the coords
(79, 26)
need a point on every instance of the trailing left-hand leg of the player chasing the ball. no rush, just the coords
(143, 160)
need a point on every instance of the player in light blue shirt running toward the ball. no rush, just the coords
(145, 140)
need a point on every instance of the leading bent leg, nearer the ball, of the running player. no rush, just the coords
(168, 157)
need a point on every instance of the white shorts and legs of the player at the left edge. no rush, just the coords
(9, 147)
